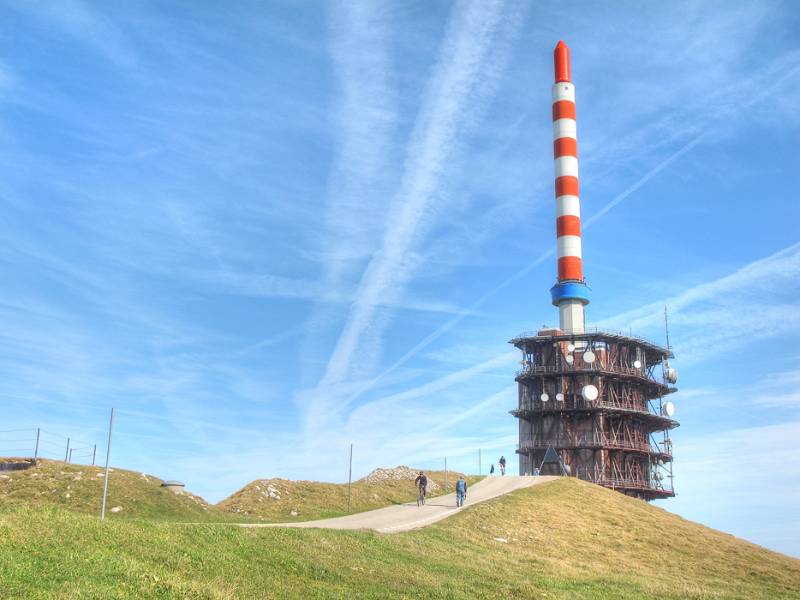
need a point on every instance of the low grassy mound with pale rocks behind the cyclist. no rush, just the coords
(280, 500)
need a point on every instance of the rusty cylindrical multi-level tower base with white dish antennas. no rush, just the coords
(597, 399)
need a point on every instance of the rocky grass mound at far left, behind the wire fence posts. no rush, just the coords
(79, 488)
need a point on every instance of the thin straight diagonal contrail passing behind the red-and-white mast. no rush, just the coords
(436, 334)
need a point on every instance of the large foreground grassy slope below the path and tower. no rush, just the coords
(567, 539)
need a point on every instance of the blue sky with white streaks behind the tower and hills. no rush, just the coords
(265, 232)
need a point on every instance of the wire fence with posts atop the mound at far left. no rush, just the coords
(36, 442)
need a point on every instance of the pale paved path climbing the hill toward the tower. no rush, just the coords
(403, 517)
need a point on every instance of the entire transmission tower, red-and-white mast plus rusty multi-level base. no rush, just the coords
(594, 398)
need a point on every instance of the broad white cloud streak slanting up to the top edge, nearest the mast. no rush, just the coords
(463, 80)
